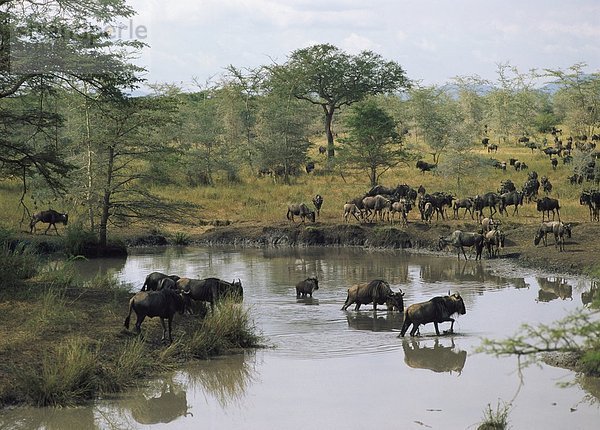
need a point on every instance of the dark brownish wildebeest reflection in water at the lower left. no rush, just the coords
(164, 408)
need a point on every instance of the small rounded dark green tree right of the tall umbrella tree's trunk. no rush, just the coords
(373, 143)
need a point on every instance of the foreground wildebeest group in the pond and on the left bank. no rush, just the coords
(165, 295)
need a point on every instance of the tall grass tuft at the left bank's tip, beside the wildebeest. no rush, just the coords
(228, 328)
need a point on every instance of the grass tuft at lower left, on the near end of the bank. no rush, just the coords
(66, 377)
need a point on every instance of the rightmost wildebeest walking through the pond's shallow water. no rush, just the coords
(437, 310)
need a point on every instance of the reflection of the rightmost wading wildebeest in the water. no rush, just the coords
(438, 358)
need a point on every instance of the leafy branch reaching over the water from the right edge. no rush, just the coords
(578, 332)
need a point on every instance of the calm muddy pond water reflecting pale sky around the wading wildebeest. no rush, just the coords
(350, 370)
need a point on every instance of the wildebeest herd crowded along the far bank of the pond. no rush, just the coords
(381, 204)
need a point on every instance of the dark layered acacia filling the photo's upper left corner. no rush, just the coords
(44, 46)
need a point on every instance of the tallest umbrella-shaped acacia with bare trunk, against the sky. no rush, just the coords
(326, 76)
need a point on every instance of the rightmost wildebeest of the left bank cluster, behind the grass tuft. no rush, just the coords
(209, 290)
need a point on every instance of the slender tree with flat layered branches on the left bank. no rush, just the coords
(124, 141)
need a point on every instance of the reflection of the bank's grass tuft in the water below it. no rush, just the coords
(226, 378)
